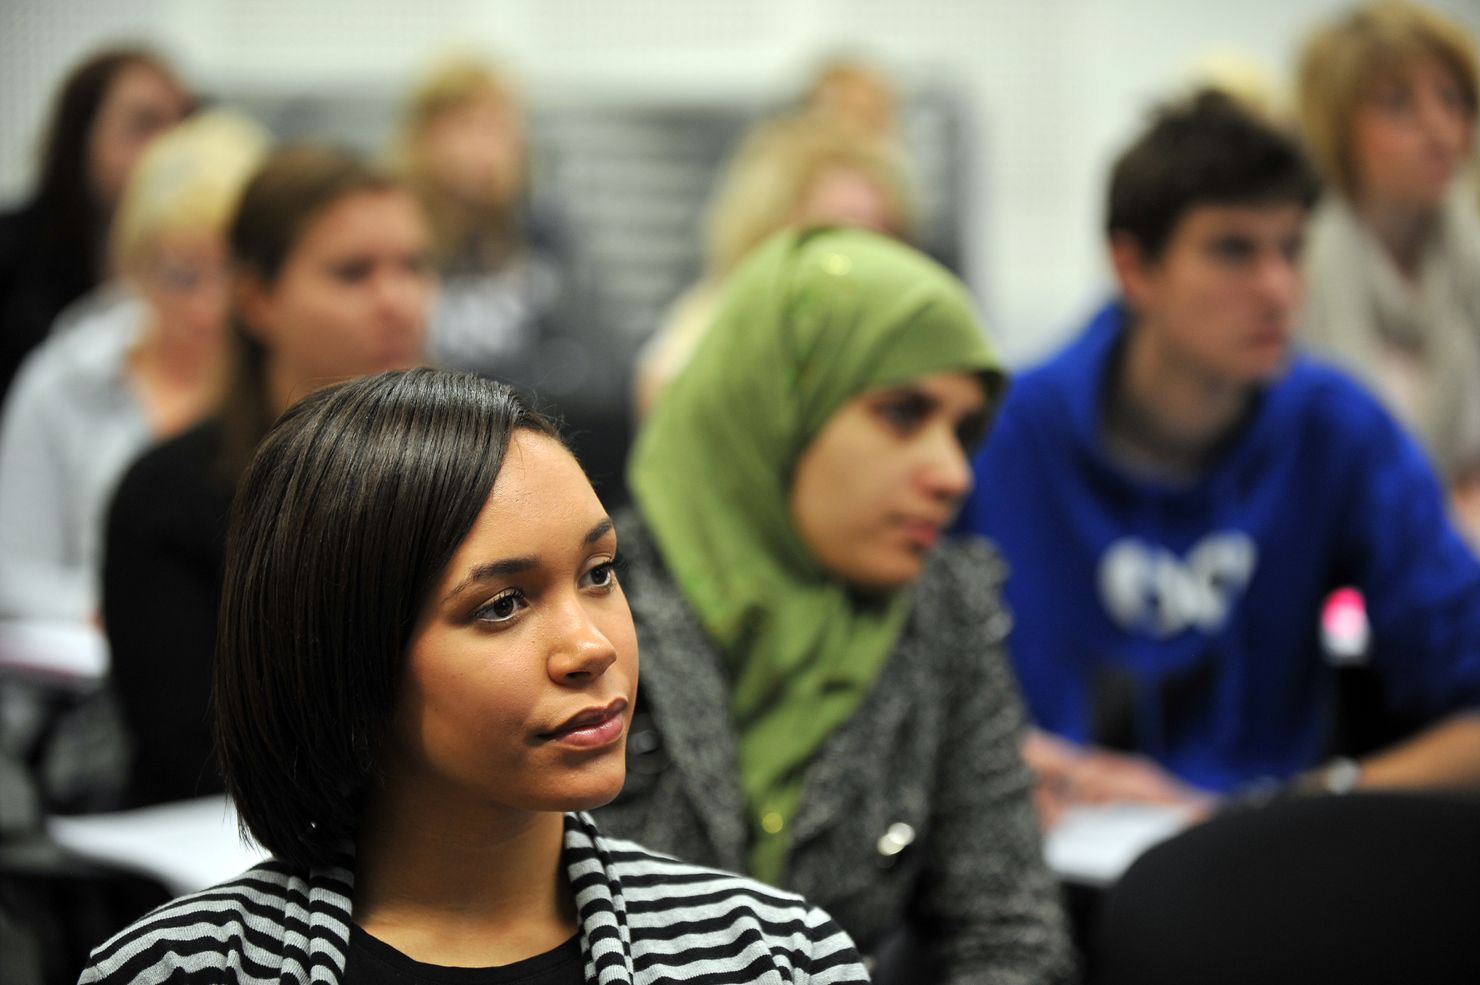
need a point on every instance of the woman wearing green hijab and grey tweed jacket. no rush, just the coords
(825, 702)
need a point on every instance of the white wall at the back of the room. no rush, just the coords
(1054, 85)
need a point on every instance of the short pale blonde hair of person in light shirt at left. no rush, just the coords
(189, 180)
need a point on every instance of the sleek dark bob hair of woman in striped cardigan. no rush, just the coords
(344, 521)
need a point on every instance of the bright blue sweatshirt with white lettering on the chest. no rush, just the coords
(1194, 610)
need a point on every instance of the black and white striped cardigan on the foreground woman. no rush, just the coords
(645, 919)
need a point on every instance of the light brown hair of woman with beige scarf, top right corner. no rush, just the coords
(1346, 58)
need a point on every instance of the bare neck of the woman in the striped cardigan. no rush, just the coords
(462, 887)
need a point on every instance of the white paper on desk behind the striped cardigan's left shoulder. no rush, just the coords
(189, 845)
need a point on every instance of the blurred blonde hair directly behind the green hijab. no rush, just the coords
(773, 171)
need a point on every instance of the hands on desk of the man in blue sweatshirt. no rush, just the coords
(1071, 774)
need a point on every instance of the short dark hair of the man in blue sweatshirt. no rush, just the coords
(1207, 152)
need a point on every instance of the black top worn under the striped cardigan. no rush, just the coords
(374, 962)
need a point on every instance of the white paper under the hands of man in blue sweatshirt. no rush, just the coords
(1094, 845)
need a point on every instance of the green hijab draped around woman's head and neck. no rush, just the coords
(812, 320)
